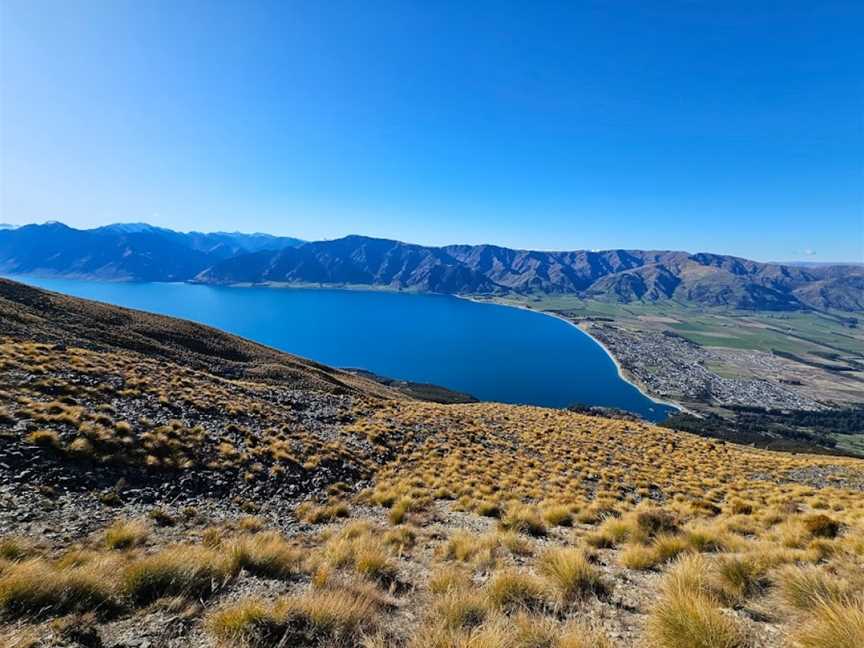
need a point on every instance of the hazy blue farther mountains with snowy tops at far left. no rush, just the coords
(127, 251)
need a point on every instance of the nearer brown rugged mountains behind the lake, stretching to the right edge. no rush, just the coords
(613, 275)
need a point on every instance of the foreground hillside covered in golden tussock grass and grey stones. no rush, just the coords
(154, 497)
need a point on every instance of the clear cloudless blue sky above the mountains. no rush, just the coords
(725, 126)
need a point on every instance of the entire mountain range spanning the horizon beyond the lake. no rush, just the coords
(144, 253)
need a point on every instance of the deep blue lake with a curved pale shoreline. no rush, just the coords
(496, 353)
